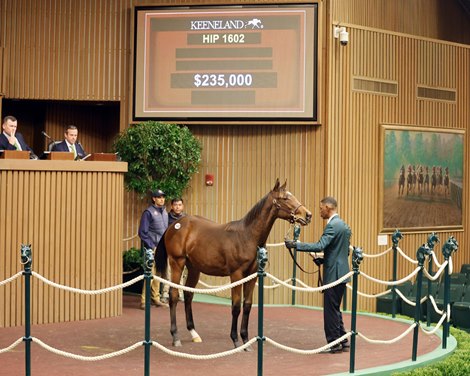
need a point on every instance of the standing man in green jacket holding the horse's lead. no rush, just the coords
(334, 242)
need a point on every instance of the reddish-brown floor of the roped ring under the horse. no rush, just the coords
(292, 326)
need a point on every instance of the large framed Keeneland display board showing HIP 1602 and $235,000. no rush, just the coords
(256, 62)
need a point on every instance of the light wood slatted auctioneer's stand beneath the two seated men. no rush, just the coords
(71, 212)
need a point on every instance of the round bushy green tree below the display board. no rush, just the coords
(159, 155)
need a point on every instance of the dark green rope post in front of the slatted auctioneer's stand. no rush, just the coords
(26, 260)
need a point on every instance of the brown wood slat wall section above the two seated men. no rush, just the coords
(66, 50)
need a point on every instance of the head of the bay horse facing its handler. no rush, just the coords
(288, 207)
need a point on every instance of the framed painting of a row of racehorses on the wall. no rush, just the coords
(421, 179)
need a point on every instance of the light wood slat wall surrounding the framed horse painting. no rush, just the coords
(354, 131)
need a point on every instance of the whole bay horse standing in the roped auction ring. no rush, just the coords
(230, 249)
